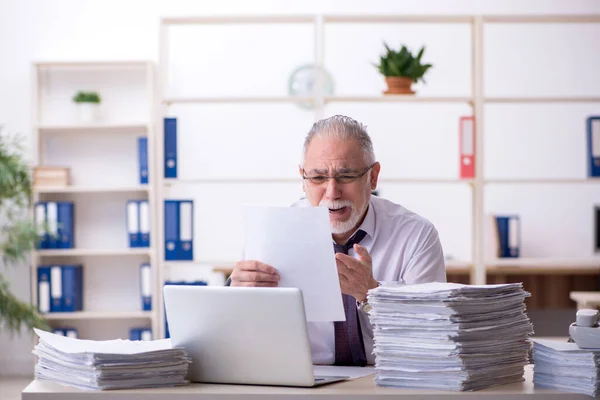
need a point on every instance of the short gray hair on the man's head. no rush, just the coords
(345, 128)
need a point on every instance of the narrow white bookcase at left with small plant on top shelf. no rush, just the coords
(127, 89)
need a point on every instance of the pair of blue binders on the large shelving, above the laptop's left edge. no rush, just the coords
(179, 230)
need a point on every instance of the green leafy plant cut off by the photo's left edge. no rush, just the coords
(18, 234)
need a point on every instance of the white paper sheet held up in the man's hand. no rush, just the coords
(297, 242)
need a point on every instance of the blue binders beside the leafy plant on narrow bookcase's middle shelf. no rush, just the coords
(54, 221)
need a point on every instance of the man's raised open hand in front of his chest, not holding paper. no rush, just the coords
(356, 276)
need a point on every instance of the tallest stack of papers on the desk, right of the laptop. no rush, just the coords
(449, 336)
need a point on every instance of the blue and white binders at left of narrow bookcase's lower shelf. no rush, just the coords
(60, 288)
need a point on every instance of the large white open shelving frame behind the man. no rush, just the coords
(477, 266)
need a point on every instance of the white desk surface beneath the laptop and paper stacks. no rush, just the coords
(363, 388)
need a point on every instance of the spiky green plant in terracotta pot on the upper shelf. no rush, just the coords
(401, 69)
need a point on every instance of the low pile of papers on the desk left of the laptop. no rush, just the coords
(111, 364)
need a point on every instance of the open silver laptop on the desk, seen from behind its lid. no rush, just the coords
(243, 335)
